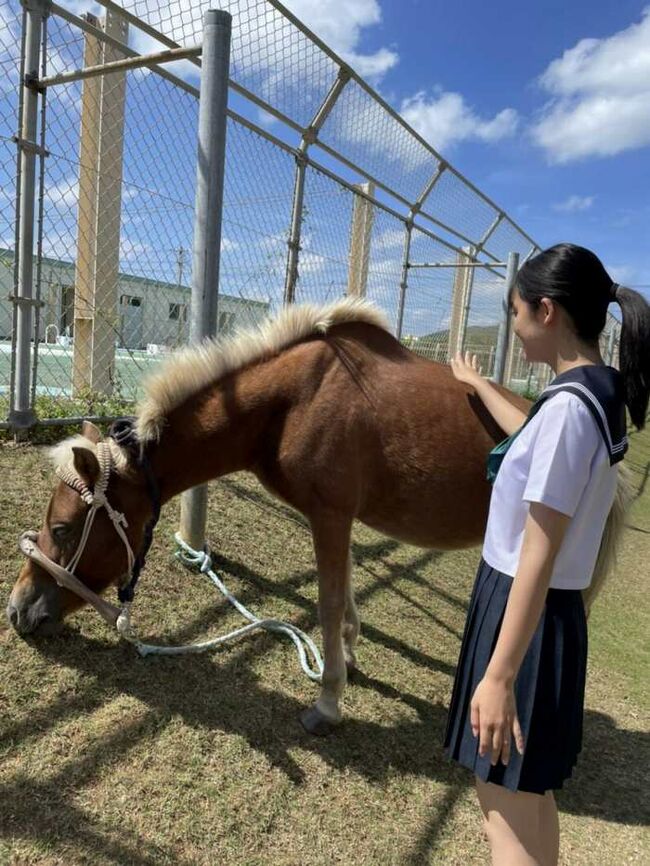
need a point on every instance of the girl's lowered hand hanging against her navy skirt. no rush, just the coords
(494, 719)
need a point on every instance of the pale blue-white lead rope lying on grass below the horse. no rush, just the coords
(200, 559)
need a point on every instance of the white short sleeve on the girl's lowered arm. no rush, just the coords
(566, 441)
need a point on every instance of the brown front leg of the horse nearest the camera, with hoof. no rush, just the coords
(331, 534)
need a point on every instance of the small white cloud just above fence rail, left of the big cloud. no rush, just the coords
(445, 119)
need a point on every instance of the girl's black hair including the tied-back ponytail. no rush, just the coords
(575, 278)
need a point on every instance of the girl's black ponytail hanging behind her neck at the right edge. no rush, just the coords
(634, 353)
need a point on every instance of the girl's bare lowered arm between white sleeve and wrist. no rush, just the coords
(543, 536)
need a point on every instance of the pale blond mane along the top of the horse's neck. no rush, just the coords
(192, 369)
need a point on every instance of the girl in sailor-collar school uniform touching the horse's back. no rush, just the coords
(515, 718)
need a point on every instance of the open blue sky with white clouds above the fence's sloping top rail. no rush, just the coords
(571, 160)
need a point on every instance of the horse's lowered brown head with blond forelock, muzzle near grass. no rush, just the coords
(95, 475)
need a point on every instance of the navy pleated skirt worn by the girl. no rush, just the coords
(549, 688)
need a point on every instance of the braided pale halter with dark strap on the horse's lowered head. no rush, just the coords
(123, 433)
